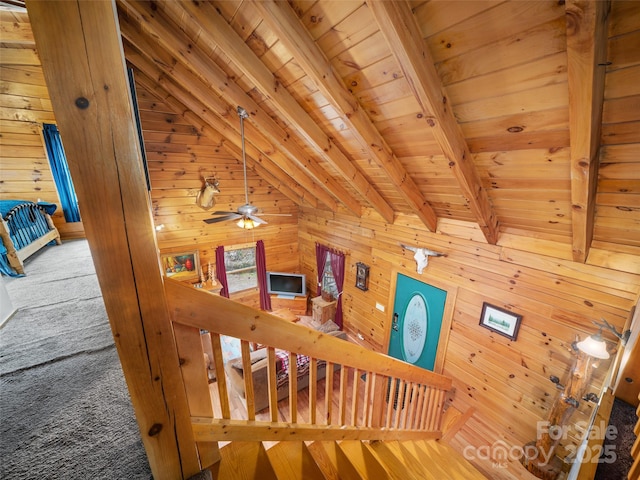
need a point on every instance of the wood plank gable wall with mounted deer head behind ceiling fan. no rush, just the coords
(179, 156)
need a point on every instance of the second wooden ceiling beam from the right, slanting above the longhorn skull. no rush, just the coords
(398, 25)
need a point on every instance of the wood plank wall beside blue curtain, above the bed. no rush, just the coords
(24, 107)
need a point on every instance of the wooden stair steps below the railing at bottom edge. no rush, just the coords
(347, 460)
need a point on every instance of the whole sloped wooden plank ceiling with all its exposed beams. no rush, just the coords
(522, 117)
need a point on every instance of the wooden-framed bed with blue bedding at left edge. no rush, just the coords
(25, 228)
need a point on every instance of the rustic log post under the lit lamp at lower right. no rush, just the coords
(539, 456)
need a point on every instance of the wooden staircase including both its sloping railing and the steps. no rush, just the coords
(369, 416)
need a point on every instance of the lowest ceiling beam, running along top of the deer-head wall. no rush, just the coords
(282, 182)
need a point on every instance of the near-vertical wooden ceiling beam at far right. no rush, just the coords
(586, 65)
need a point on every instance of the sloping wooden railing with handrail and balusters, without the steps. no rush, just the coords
(364, 395)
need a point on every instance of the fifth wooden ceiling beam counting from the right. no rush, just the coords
(296, 162)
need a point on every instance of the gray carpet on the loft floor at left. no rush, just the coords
(65, 412)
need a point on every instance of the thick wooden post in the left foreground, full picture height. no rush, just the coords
(80, 46)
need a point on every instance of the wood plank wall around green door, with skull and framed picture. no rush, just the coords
(506, 382)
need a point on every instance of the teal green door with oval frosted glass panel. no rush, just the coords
(417, 320)
